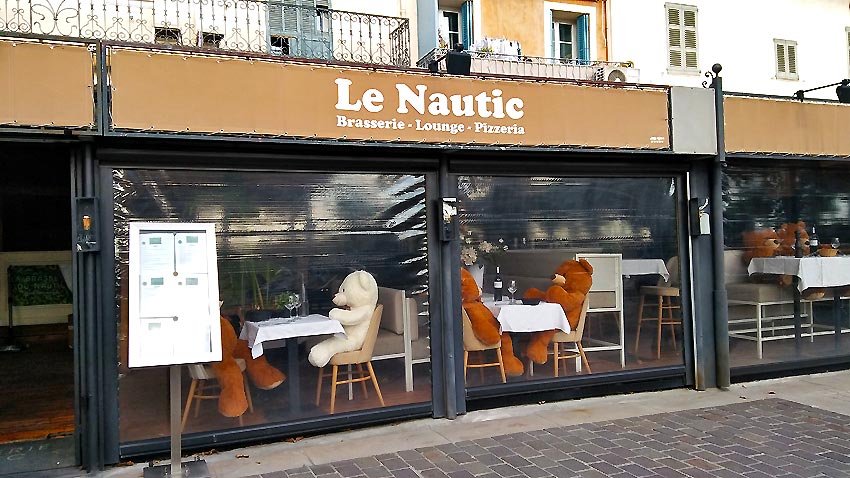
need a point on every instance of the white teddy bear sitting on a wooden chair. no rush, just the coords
(358, 293)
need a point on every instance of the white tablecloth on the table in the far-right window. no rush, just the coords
(812, 271)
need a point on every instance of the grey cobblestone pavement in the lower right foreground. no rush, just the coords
(755, 439)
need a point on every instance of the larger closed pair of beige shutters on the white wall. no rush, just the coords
(682, 38)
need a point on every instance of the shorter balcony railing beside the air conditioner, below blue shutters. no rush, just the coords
(488, 63)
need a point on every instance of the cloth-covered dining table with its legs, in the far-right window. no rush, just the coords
(809, 272)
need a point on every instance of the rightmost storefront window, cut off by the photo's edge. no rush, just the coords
(764, 206)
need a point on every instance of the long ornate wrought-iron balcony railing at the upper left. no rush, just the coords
(275, 27)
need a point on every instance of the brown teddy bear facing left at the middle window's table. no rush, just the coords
(570, 285)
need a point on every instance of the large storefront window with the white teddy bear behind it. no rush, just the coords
(281, 234)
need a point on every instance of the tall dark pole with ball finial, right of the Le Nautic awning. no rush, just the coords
(721, 313)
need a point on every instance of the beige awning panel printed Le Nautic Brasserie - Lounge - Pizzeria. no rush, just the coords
(178, 92)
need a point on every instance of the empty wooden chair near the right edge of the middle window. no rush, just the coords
(665, 299)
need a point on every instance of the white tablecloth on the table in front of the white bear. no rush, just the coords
(283, 328)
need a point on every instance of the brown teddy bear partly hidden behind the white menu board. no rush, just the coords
(232, 402)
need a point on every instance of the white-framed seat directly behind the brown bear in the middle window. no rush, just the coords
(606, 296)
